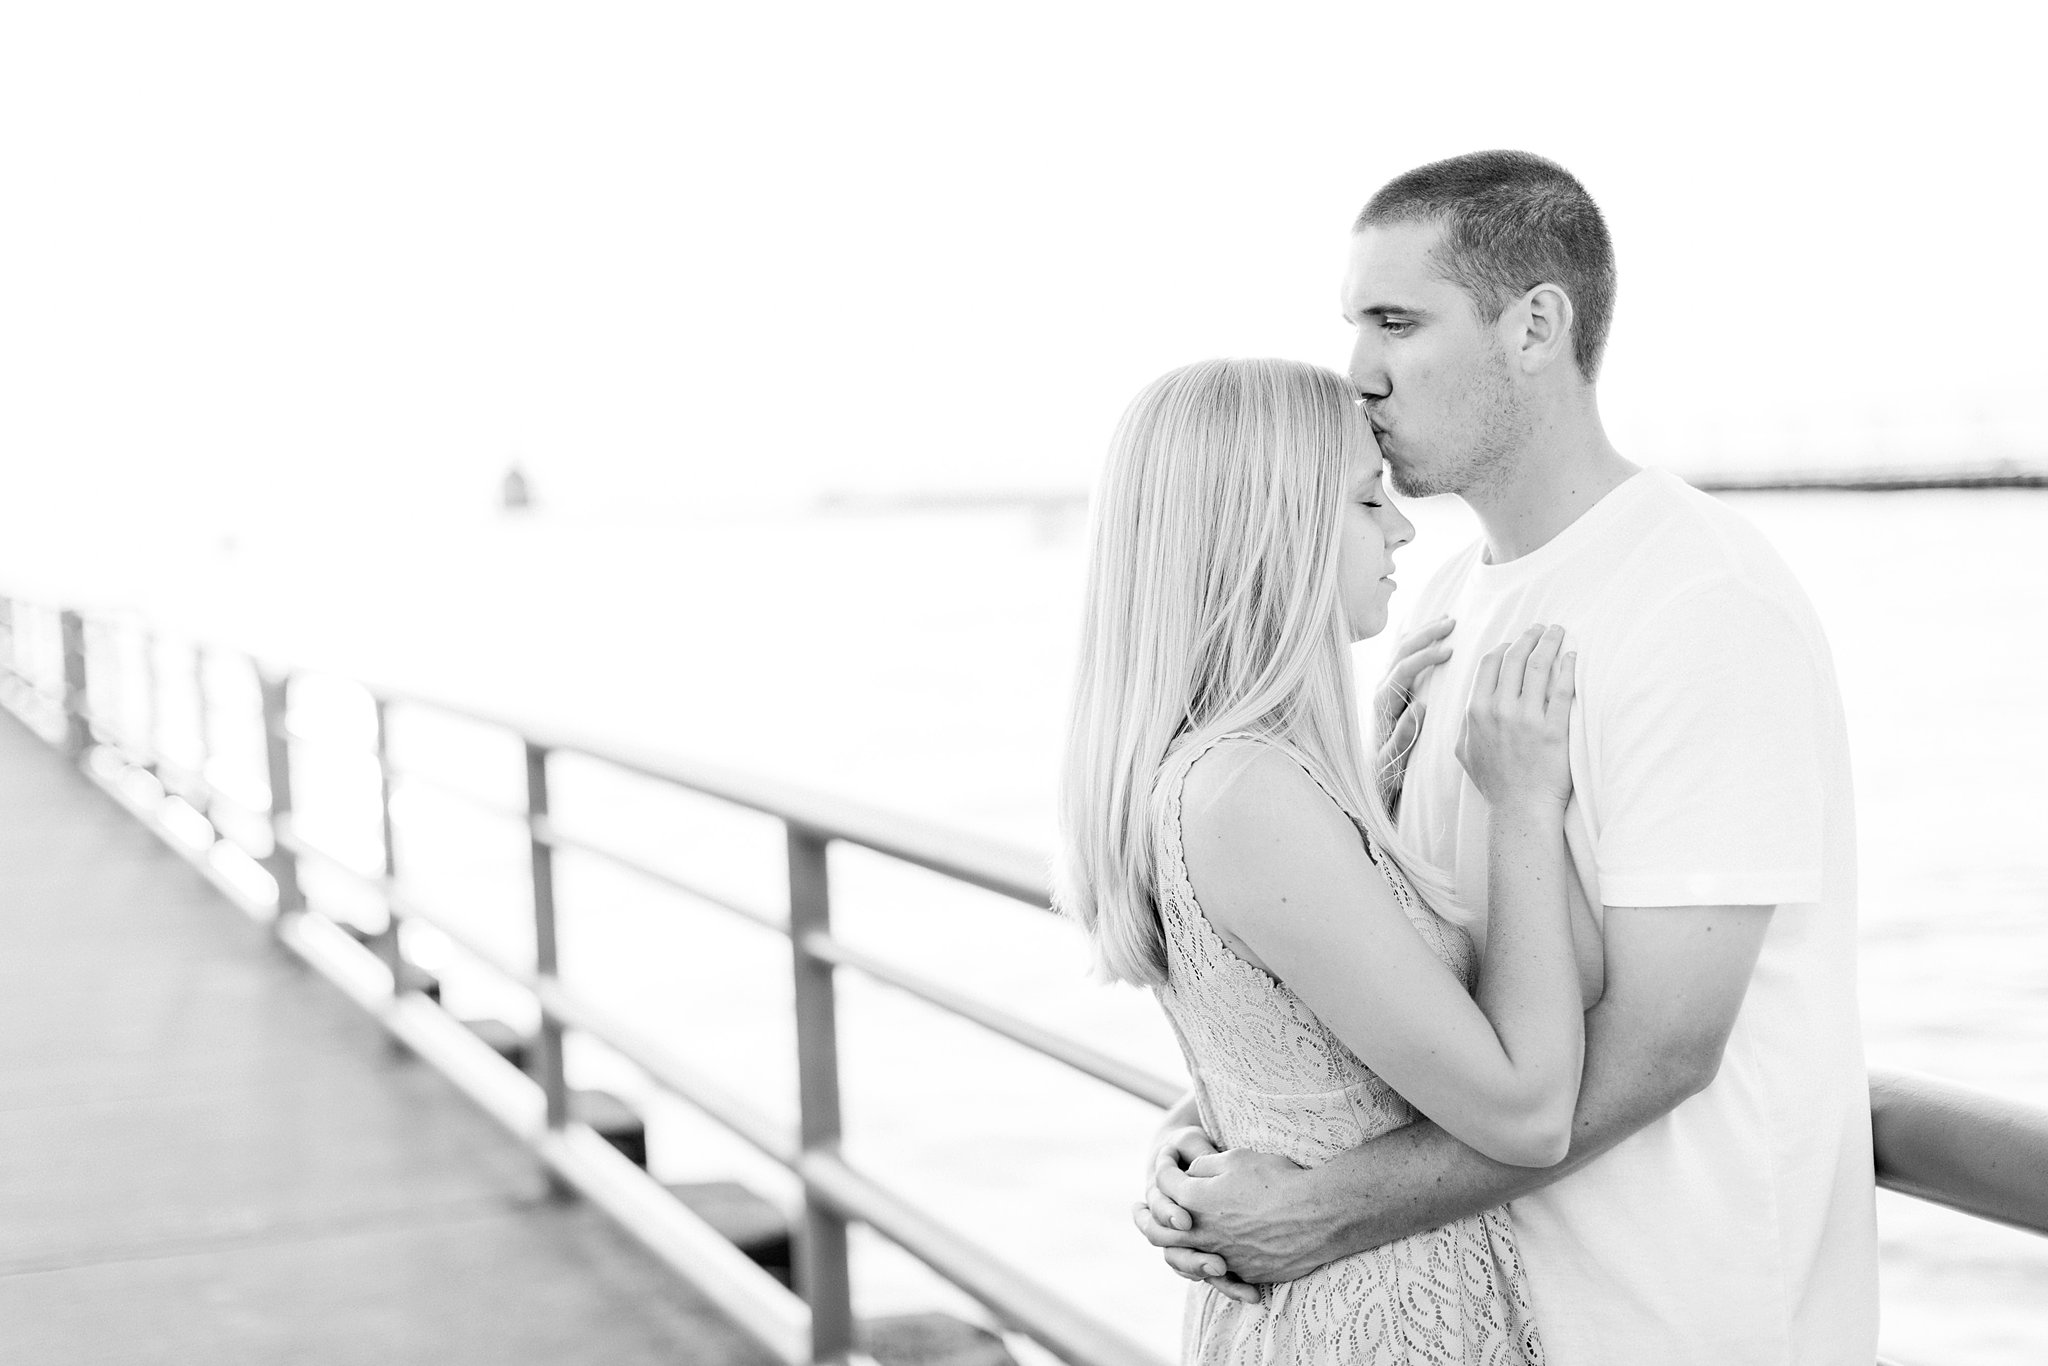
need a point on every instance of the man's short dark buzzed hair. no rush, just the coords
(1512, 220)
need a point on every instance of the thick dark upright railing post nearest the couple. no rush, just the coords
(822, 1273)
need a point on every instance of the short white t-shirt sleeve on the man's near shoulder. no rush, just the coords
(1713, 787)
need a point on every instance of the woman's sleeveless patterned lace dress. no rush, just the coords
(1273, 1078)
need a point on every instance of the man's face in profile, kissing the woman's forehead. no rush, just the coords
(1431, 374)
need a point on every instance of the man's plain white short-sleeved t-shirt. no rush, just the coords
(1711, 767)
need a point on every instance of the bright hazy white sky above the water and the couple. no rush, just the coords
(286, 261)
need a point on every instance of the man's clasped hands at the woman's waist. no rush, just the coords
(1242, 1215)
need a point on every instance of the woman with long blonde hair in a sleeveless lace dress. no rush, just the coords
(1226, 847)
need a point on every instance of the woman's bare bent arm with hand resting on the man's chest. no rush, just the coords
(1281, 871)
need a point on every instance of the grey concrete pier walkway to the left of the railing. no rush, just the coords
(210, 1156)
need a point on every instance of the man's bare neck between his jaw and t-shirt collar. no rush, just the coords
(1566, 468)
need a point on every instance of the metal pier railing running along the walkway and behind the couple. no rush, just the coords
(816, 1326)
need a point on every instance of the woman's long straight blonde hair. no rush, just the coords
(1213, 607)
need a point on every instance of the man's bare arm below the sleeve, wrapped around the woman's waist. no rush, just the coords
(1676, 982)
